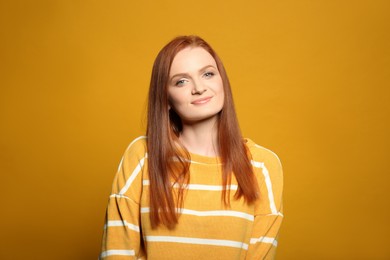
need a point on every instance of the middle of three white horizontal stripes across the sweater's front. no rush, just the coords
(210, 213)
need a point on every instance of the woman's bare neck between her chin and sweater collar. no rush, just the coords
(201, 138)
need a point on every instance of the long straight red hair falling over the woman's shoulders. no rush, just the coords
(168, 160)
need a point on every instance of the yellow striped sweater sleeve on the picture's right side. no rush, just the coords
(268, 210)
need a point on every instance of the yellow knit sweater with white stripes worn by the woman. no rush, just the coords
(206, 228)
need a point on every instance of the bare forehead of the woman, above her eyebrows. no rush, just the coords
(191, 59)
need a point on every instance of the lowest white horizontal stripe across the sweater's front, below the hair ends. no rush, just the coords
(197, 241)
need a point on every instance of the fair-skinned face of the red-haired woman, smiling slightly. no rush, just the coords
(195, 88)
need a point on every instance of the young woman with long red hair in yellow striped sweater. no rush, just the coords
(193, 188)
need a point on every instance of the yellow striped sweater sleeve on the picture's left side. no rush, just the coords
(122, 229)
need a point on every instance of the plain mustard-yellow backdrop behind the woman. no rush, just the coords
(310, 79)
